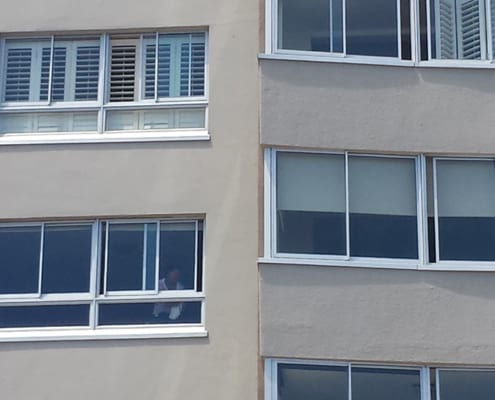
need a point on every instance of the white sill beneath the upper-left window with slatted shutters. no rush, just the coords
(108, 137)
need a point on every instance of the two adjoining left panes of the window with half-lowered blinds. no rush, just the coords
(346, 205)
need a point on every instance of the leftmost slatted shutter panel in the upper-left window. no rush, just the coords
(18, 74)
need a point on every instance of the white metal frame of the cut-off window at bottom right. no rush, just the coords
(271, 374)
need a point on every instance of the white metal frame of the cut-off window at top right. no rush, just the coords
(272, 50)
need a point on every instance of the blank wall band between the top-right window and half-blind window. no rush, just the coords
(365, 107)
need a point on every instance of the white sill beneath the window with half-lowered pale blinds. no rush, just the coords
(461, 266)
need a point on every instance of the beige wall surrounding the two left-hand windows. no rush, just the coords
(218, 179)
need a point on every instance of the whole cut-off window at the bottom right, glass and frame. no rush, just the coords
(292, 380)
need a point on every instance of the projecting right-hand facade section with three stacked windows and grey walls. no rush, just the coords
(377, 268)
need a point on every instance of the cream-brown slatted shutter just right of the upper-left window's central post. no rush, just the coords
(122, 72)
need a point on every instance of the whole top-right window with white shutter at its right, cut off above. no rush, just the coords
(394, 29)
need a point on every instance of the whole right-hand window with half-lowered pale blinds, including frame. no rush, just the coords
(363, 208)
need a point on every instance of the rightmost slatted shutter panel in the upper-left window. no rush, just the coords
(192, 69)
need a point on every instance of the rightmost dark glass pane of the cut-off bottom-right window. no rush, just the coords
(467, 385)
